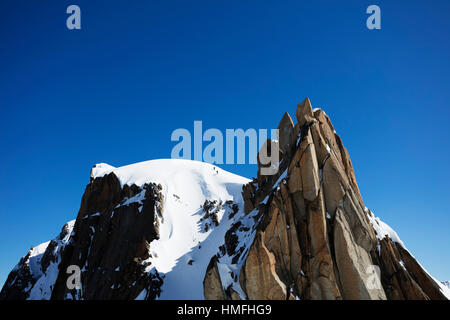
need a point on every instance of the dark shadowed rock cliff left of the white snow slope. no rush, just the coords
(109, 242)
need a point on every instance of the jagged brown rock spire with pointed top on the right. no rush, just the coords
(315, 239)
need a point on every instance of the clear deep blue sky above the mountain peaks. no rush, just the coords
(115, 90)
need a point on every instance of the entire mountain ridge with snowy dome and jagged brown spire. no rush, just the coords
(182, 229)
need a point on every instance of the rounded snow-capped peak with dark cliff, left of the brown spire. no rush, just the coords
(187, 206)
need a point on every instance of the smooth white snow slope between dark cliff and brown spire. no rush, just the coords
(186, 185)
